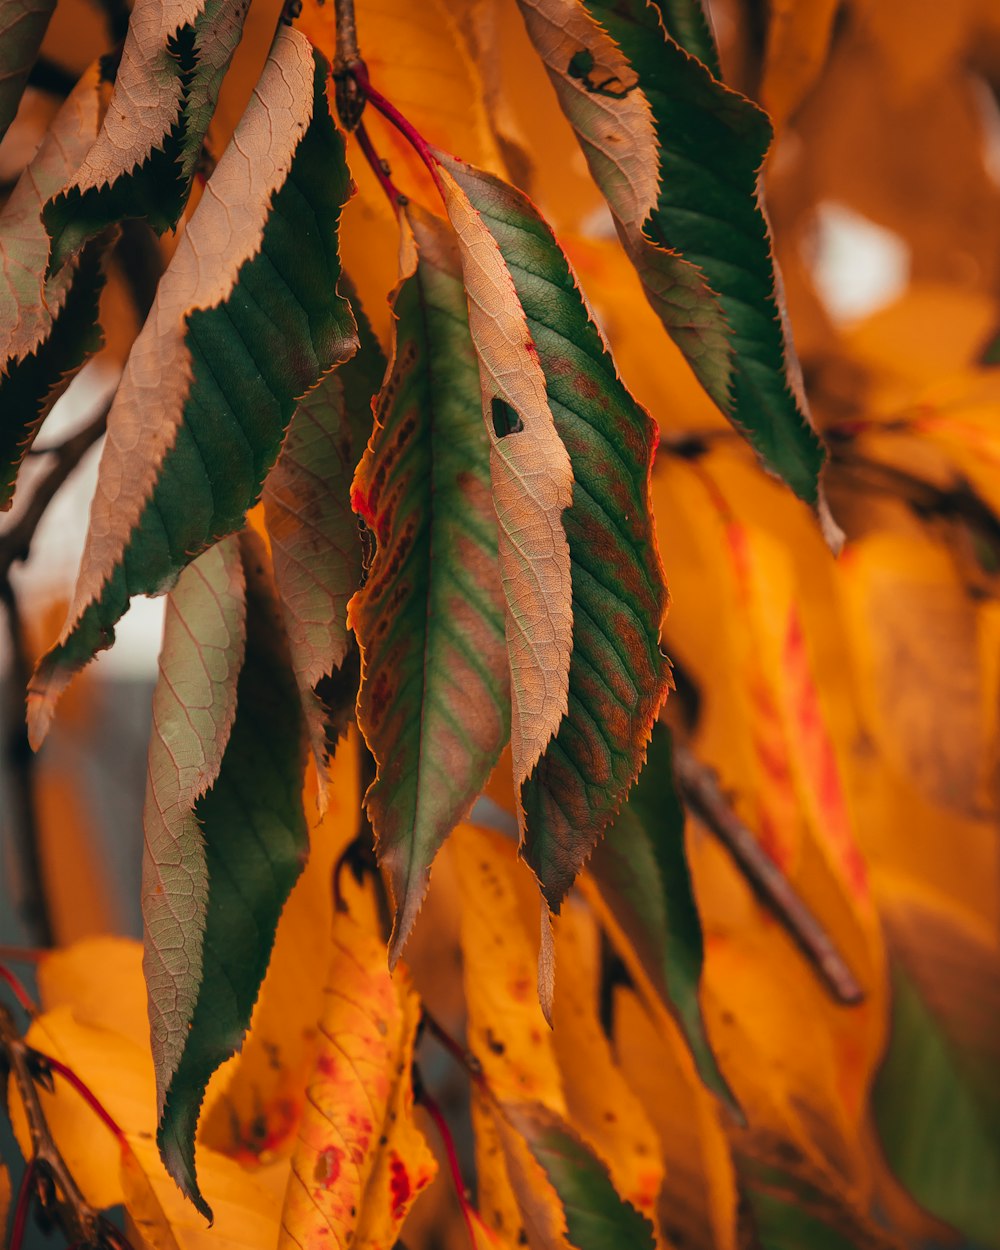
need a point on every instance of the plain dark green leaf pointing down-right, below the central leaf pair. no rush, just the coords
(641, 868)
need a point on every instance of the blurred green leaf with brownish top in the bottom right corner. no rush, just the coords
(937, 1097)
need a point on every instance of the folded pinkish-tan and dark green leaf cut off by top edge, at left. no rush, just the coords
(142, 163)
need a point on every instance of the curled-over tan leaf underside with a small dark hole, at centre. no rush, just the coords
(532, 487)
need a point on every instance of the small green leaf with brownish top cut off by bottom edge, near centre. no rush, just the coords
(597, 1217)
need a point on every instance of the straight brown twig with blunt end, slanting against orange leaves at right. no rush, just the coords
(701, 791)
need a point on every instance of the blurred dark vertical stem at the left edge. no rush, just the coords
(19, 764)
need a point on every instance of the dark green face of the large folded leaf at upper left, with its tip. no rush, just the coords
(252, 358)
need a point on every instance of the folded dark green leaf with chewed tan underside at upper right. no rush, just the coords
(678, 156)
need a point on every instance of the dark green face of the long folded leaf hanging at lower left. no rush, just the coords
(256, 843)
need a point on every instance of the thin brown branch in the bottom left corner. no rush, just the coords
(48, 1179)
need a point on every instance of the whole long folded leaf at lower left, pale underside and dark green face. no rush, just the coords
(217, 873)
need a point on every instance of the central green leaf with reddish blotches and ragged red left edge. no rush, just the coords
(431, 617)
